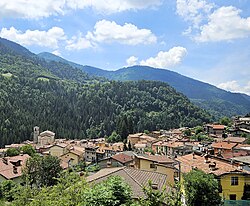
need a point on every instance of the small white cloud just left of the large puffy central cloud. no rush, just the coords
(79, 43)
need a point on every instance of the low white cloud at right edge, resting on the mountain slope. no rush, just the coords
(234, 86)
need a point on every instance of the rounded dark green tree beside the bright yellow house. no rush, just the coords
(201, 189)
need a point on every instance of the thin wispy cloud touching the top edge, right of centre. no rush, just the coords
(193, 11)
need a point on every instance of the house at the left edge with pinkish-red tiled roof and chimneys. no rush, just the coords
(11, 167)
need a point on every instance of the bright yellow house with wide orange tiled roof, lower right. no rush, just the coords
(231, 177)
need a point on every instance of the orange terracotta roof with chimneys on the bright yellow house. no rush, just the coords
(190, 161)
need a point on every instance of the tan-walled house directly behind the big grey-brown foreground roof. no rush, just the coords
(156, 163)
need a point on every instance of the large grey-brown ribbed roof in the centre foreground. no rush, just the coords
(137, 179)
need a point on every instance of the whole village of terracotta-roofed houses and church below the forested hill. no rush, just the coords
(160, 156)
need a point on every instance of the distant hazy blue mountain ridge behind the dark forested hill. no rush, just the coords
(219, 102)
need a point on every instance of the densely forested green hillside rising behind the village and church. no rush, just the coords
(64, 99)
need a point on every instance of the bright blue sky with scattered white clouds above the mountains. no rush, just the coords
(208, 40)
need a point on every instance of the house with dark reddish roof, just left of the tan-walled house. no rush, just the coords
(118, 160)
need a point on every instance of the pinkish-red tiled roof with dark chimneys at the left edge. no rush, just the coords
(6, 170)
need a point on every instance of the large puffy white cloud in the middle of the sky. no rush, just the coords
(108, 31)
